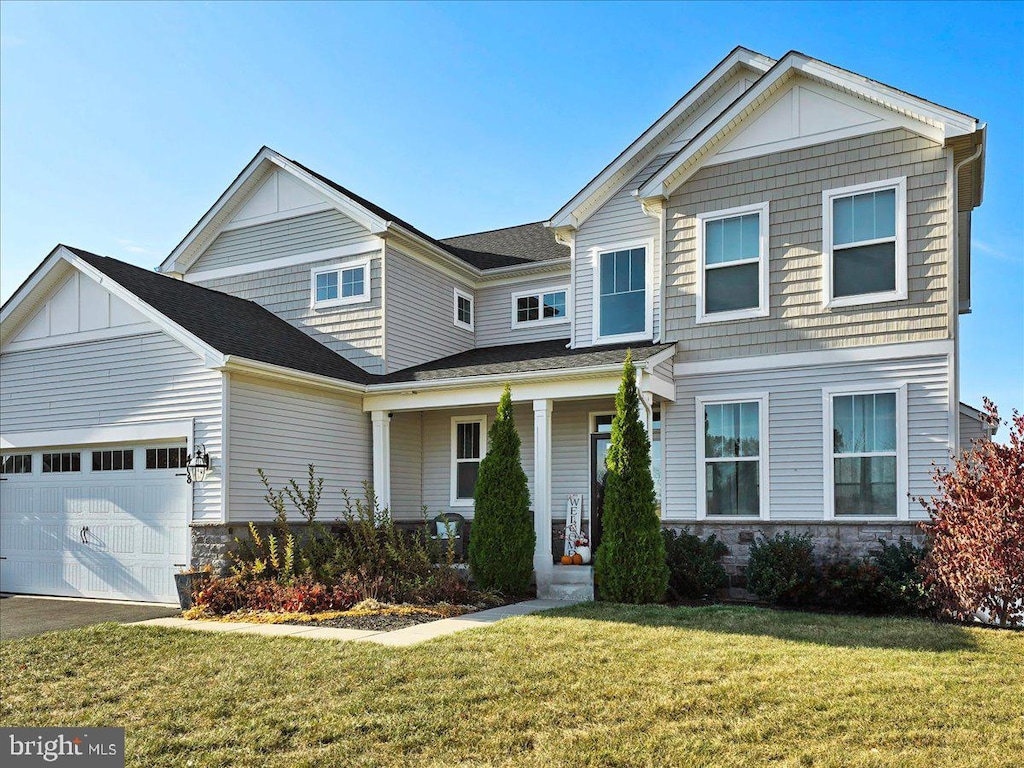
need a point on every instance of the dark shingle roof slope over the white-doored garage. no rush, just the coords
(230, 325)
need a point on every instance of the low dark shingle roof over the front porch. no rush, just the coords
(514, 359)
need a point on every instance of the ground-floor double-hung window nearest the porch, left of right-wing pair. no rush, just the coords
(733, 456)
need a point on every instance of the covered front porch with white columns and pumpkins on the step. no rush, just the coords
(430, 436)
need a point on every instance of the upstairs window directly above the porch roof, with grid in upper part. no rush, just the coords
(623, 306)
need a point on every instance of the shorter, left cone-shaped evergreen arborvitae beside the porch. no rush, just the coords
(502, 540)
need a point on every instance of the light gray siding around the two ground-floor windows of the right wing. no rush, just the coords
(796, 439)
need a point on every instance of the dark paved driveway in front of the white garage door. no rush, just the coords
(24, 616)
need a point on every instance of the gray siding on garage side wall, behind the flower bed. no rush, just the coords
(282, 430)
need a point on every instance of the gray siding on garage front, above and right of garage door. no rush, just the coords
(129, 380)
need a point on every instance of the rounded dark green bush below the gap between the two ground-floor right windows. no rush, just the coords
(782, 570)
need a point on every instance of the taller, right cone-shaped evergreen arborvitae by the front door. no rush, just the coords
(630, 567)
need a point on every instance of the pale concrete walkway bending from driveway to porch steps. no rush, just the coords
(409, 636)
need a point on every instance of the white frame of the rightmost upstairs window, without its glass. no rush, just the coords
(828, 198)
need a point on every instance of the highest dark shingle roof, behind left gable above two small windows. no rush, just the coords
(514, 245)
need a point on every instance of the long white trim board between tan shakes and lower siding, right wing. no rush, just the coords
(823, 358)
